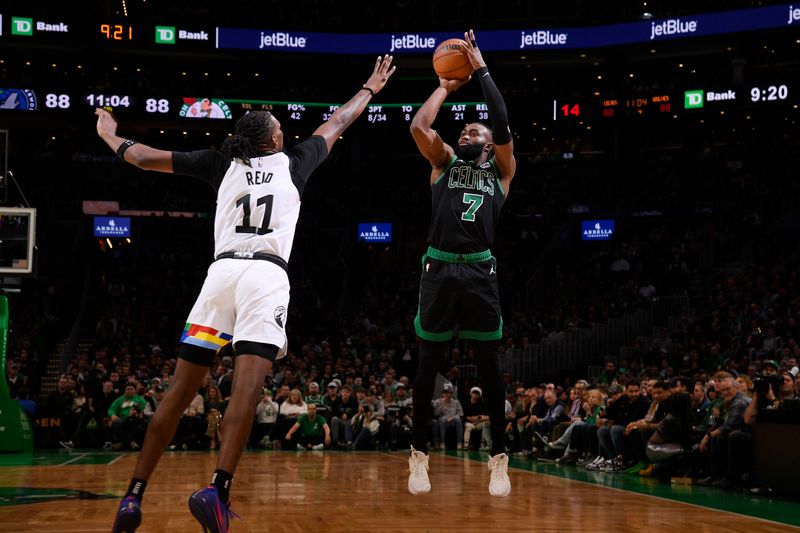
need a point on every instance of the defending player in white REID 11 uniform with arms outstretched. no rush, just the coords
(246, 292)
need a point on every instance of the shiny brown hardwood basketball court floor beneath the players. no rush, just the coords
(337, 491)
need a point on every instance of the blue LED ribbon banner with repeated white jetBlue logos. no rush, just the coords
(509, 40)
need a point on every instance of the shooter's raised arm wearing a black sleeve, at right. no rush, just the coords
(501, 133)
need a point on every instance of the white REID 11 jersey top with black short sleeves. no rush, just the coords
(257, 205)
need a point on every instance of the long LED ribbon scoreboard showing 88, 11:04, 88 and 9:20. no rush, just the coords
(168, 111)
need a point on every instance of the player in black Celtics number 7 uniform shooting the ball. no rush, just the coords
(458, 287)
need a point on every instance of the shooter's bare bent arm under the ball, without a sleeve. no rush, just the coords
(429, 143)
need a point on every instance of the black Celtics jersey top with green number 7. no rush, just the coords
(467, 199)
